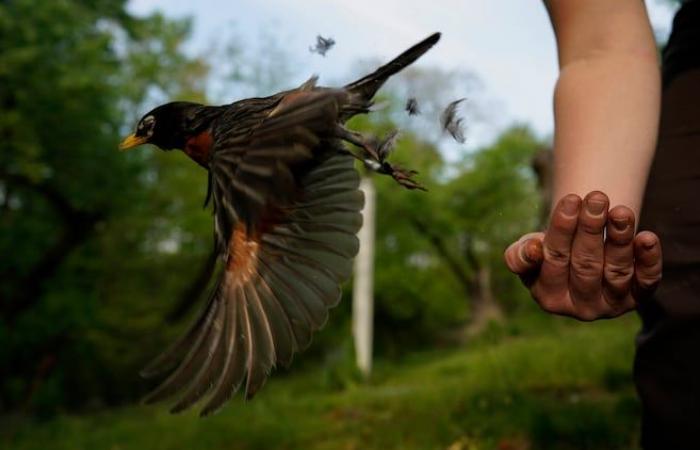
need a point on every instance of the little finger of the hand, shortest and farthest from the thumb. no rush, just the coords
(648, 264)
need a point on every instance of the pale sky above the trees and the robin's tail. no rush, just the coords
(508, 44)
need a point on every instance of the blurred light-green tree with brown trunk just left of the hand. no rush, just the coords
(492, 201)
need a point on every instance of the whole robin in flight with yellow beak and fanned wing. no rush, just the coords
(287, 208)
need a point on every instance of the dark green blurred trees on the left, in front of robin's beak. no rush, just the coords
(78, 266)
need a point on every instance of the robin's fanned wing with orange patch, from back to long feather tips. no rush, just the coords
(286, 253)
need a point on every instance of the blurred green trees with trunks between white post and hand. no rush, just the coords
(455, 233)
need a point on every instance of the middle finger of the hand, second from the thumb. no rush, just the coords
(587, 257)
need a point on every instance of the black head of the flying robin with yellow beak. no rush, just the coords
(166, 126)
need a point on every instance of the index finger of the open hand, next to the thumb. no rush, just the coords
(551, 288)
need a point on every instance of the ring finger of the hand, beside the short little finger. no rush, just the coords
(618, 270)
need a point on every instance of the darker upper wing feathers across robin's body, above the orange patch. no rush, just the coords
(254, 165)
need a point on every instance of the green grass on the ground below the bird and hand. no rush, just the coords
(548, 384)
